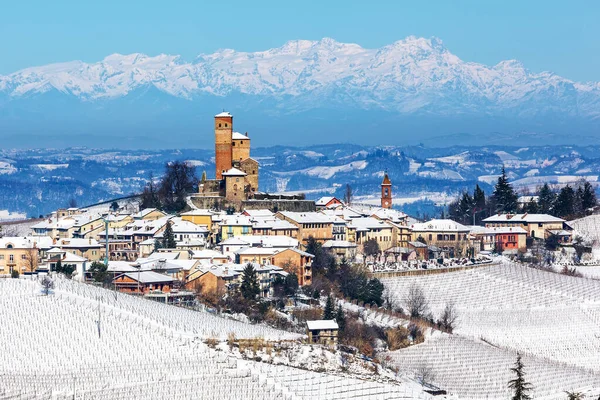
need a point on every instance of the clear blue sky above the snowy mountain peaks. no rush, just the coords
(559, 36)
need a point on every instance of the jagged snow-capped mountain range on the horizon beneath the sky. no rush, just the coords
(414, 77)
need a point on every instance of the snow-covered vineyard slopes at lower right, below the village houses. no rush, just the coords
(552, 319)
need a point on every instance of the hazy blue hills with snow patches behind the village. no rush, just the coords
(37, 181)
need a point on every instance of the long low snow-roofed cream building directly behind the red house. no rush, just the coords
(536, 225)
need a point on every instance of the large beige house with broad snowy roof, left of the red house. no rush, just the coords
(450, 237)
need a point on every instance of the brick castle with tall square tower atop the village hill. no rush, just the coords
(236, 173)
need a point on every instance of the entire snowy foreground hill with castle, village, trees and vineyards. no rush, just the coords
(277, 288)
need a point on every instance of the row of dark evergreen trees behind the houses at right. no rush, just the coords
(569, 202)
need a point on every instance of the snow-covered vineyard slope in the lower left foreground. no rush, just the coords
(85, 342)
